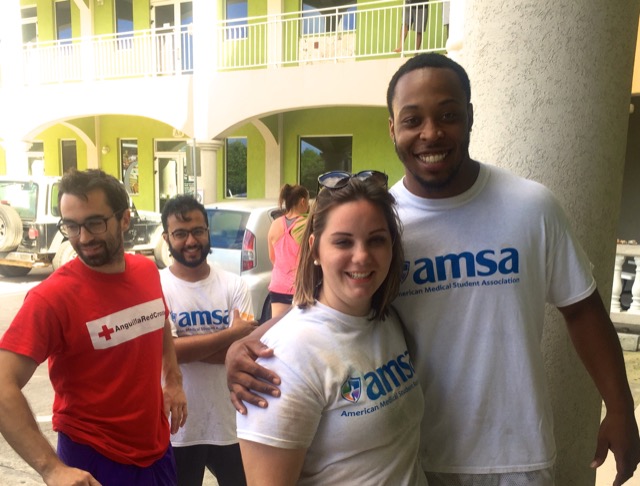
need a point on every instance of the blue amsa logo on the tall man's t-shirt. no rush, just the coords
(454, 266)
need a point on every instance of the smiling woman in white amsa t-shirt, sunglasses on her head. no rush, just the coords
(351, 405)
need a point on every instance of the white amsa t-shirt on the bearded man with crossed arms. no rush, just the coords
(200, 308)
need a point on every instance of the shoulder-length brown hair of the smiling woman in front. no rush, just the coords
(309, 276)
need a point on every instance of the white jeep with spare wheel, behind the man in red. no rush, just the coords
(29, 236)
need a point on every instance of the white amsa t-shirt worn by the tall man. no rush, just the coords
(479, 269)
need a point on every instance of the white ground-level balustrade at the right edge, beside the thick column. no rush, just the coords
(629, 318)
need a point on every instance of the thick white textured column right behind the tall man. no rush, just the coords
(551, 81)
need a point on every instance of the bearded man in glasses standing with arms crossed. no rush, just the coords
(210, 309)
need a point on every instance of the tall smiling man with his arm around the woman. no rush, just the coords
(485, 250)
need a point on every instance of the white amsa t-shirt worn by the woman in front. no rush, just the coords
(349, 394)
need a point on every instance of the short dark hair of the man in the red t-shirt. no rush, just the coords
(81, 183)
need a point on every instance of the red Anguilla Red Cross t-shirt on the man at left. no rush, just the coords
(103, 336)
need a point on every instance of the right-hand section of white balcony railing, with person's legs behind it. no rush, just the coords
(368, 30)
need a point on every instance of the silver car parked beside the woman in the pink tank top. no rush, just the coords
(238, 231)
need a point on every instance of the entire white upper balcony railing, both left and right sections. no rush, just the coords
(361, 31)
